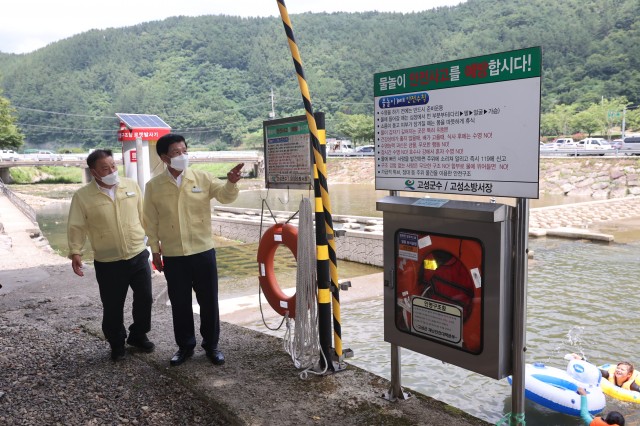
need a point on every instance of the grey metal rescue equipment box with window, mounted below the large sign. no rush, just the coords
(447, 278)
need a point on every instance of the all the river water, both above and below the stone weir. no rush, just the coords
(581, 298)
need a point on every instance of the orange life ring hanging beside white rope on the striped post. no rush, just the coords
(280, 233)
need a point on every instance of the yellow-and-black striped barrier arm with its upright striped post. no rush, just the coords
(324, 225)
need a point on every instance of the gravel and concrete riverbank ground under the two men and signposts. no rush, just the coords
(53, 317)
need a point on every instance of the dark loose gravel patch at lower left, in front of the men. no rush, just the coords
(53, 376)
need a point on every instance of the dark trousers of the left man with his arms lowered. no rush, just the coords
(114, 280)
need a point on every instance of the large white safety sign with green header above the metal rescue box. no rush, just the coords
(470, 126)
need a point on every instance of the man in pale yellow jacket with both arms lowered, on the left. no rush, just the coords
(108, 211)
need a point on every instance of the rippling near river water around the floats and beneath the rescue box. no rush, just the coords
(573, 290)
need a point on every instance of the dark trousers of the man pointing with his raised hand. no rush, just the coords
(197, 272)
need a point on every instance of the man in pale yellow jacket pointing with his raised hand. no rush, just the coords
(177, 219)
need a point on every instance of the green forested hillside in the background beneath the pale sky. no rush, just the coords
(211, 77)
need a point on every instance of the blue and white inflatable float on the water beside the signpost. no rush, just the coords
(556, 389)
